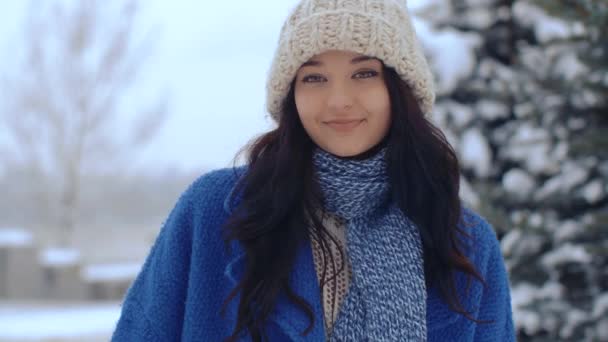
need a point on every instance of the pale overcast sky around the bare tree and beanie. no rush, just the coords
(212, 56)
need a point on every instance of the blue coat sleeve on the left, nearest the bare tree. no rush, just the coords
(154, 304)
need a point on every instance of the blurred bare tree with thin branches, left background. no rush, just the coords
(65, 105)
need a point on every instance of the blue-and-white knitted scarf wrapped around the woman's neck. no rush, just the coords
(386, 300)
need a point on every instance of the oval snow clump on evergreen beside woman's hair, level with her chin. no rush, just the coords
(475, 152)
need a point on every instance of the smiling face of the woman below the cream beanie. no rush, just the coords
(343, 102)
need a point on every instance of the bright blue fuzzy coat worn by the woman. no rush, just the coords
(179, 292)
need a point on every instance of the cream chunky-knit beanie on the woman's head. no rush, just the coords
(377, 28)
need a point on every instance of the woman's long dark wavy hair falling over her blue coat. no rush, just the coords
(280, 201)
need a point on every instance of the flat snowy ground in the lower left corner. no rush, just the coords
(57, 322)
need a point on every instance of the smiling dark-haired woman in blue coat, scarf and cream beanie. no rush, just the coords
(346, 223)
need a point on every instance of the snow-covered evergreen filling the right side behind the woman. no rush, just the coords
(522, 97)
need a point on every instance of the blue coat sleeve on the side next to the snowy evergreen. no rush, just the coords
(495, 303)
